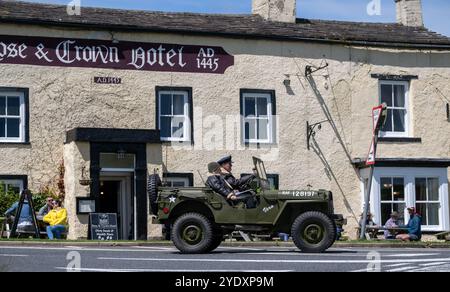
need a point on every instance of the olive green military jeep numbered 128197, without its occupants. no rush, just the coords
(200, 218)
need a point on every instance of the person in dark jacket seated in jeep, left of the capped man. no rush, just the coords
(219, 185)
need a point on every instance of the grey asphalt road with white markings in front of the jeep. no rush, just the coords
(42, 258)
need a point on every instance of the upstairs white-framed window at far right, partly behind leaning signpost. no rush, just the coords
(395, 94)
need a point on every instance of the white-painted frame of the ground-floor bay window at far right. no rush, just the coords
(409, 174)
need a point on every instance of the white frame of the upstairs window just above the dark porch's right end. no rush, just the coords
(187, 119)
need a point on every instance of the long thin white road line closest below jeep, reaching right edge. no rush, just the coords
(277, 261)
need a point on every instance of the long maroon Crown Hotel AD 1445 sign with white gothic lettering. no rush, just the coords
(106, 54)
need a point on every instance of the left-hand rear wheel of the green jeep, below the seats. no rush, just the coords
(192, 233)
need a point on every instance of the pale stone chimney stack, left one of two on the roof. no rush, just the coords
(276, 10)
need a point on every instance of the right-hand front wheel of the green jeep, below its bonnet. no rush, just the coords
(313, 232)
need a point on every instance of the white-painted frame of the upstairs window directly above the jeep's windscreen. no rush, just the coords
(268, 98)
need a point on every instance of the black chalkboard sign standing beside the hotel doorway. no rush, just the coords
(104, 226)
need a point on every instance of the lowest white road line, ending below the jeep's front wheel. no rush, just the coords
(170, 270)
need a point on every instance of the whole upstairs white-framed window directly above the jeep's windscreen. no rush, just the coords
(257, 110)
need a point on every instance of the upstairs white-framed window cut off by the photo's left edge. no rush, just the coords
(12, 117)
